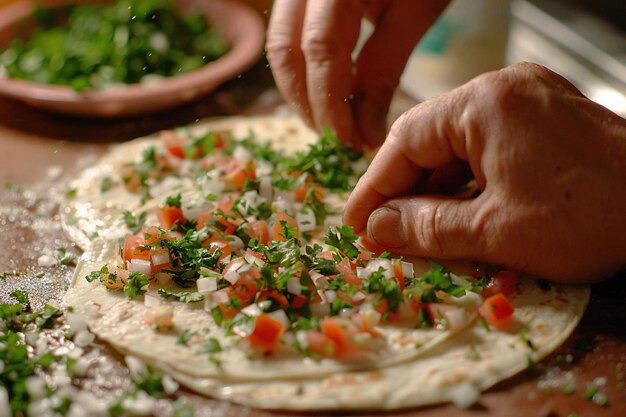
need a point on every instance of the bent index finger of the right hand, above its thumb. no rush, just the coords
(428, 136)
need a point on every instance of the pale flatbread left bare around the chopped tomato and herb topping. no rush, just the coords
(413, 367)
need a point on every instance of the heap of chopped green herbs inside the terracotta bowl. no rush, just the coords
(107, 44)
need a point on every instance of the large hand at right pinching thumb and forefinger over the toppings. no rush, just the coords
(550, 163)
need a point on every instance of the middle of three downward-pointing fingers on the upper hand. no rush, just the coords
(330, 32)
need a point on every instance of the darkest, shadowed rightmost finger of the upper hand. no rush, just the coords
(381, 62)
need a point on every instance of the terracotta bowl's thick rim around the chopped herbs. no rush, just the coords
(240, 25)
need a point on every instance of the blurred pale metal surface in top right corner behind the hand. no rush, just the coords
(584, 48)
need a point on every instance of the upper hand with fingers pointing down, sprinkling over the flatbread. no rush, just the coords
(309, 47)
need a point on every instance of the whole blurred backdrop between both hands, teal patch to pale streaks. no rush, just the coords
(583, 40)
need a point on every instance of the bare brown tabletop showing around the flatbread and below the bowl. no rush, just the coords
(31, 142)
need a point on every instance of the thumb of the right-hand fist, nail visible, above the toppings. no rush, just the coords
(433, 227)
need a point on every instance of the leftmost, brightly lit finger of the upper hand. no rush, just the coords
(286, 57)
